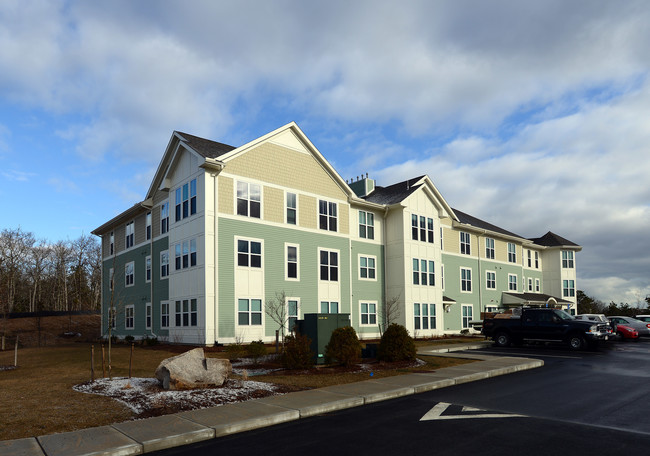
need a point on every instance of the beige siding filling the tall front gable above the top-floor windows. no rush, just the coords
(286, 168)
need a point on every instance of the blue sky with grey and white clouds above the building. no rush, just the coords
(534, 116)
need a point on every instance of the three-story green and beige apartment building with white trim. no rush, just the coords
(223, 230)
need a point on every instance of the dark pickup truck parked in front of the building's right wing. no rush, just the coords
(544, 325)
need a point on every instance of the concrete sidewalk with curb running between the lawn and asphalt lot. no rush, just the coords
(153, 434)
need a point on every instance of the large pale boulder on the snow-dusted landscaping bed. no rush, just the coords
(192, 370)
